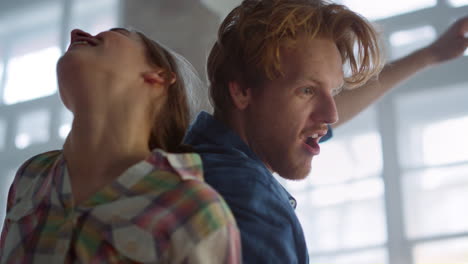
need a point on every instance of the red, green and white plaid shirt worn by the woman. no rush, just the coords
(158, 211)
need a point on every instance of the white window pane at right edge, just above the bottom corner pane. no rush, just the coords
(434, 199)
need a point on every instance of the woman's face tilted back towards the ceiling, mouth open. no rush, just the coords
(116, 56)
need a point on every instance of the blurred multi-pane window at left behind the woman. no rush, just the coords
(31, 42)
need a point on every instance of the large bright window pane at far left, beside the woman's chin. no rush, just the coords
(31, 69)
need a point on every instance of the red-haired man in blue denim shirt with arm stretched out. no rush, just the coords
(275, 72)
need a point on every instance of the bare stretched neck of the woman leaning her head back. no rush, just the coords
(100, 147)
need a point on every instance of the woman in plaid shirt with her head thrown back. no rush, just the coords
(106, 197)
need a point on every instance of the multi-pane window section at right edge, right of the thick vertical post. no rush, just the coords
(434, 155)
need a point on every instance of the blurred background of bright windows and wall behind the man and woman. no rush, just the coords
(391, 187)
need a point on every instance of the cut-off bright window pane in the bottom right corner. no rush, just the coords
(452, 251)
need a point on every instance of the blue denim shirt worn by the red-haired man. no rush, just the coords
(264, 210)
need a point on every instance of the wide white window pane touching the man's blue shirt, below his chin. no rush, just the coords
(349, 225)
